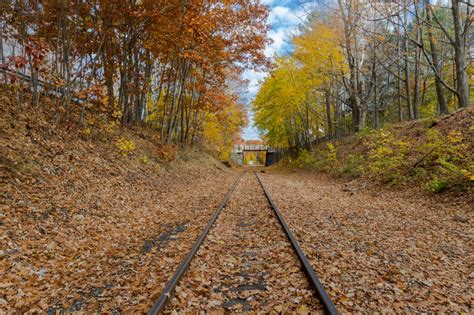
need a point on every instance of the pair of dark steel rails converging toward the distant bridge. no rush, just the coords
(319, 293)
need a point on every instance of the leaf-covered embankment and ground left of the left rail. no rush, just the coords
(87, 226)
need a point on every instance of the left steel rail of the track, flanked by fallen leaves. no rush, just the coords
(168, 291)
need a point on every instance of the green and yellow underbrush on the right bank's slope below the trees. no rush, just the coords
(436, 158)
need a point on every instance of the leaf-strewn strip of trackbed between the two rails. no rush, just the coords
(246, 263)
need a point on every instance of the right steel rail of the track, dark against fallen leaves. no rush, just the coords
(322, 295)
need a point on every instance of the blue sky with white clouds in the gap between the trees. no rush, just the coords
(284, 18)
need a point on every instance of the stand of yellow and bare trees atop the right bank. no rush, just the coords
(360, 64)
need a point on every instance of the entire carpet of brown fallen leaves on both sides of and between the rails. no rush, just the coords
(83, 228)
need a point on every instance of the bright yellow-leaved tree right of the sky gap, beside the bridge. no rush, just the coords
(291, 106)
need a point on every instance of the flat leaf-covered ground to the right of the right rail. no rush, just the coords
(379, 250)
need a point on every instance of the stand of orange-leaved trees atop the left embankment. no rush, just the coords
(162, 63)
